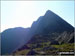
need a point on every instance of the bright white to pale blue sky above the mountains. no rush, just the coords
(23, 13)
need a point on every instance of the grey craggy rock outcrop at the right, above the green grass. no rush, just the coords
(66, 37)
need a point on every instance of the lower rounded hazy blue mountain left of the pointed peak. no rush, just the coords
(12, 39)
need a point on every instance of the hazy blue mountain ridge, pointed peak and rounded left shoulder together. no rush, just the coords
(50, 23)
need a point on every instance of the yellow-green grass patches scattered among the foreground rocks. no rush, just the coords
(63, 47)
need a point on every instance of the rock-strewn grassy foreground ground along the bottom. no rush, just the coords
(44, 49)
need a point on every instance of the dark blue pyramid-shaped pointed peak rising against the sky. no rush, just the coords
(50, 22)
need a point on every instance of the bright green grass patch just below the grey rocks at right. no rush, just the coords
(65, 47)
